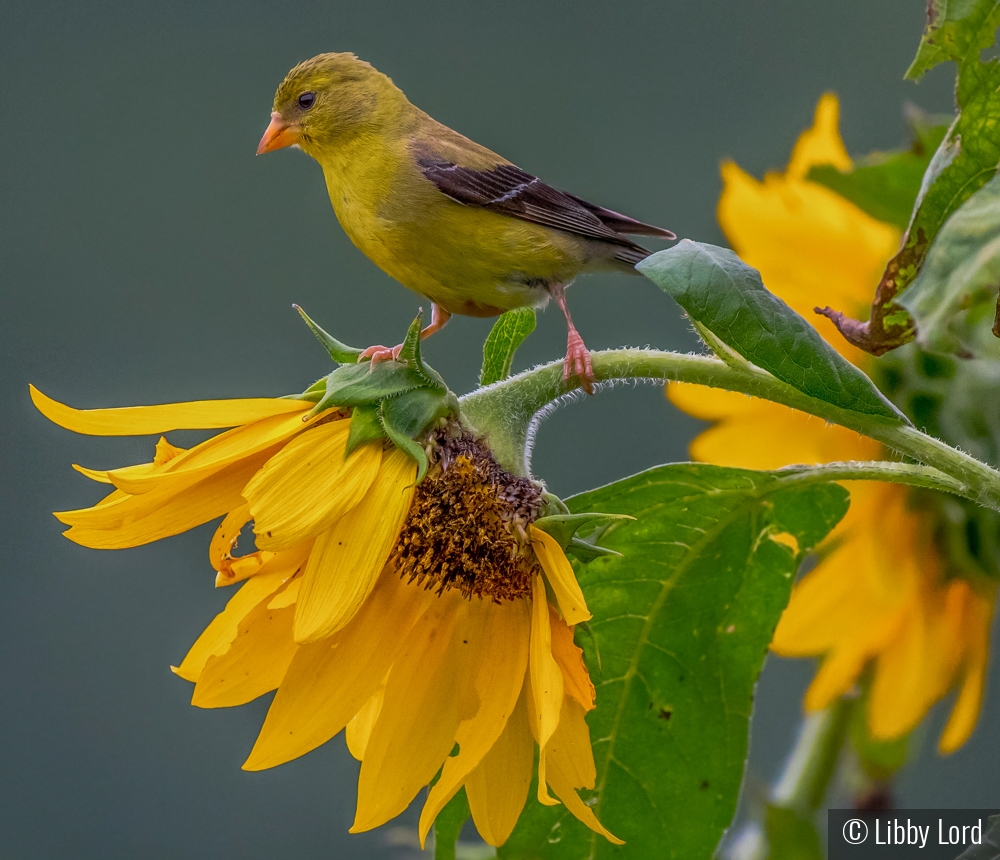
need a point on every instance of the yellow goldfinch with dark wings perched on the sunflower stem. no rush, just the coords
(444, 216)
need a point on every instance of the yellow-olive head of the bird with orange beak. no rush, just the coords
(327, 100)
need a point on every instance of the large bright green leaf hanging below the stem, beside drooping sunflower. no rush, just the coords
(682, 623)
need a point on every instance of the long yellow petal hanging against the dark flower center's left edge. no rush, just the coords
(347, 559)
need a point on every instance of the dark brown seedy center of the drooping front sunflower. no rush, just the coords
(467, 525)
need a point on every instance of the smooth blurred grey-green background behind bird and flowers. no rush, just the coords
(148, 256)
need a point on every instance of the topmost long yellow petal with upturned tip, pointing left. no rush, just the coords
(144, 420)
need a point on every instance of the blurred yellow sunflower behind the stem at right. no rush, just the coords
(883, 597)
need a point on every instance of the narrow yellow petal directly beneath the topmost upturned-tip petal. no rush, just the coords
(210, 456)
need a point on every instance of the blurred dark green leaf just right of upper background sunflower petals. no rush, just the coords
(885, 184)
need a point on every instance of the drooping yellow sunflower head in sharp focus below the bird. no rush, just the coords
(434, 622)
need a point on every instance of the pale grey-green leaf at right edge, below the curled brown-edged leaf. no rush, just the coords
(954, 299)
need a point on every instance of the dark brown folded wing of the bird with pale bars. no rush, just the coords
(508, 190)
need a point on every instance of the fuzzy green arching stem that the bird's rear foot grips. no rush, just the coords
(507, 410)
